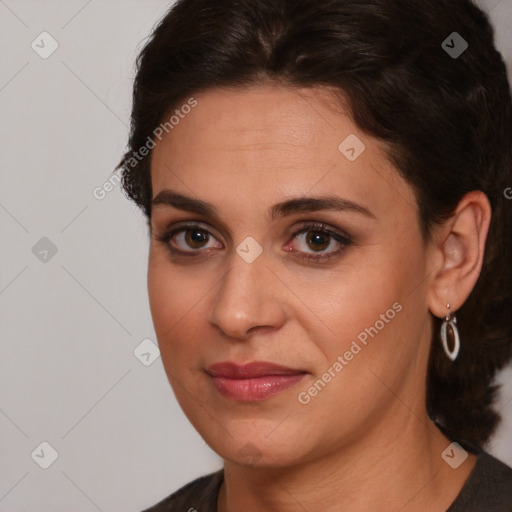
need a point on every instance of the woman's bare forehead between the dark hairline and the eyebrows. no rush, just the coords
(268, 141)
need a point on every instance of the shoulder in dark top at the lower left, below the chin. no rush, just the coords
(198, 495)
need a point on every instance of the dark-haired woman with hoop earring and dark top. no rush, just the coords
(328, 274)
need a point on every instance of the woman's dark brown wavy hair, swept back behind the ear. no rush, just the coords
(445, 120)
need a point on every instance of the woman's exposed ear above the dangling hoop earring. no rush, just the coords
(457, 253)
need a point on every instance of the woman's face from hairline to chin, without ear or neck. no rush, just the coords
(343, 304)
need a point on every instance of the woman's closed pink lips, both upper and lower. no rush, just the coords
(253, 381)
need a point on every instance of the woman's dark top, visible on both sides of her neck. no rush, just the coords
(487, 489)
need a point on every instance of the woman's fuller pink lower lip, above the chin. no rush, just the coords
(255, 389)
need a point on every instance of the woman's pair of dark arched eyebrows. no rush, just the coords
(168, 197)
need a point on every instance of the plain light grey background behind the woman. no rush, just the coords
(71, 321)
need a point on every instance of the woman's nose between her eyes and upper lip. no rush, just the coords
(250, 298)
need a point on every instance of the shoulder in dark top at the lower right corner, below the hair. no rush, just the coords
(488, 487)
